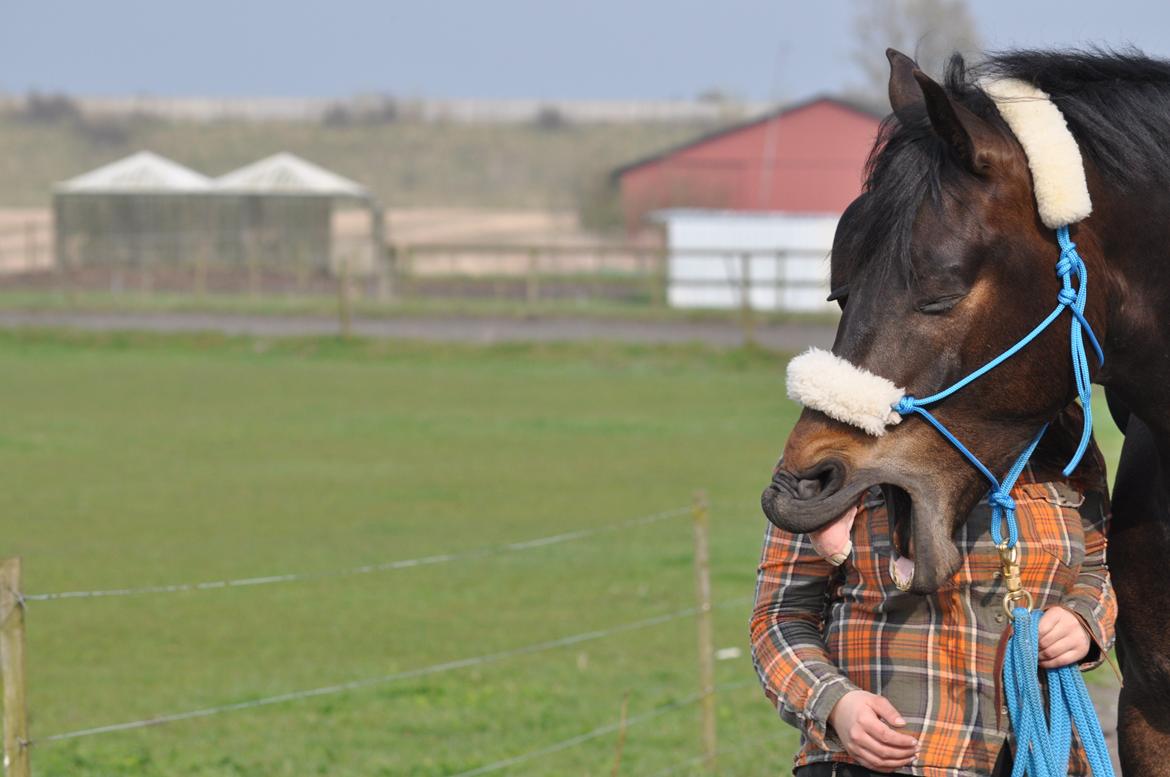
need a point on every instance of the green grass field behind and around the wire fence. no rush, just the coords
(140, 460)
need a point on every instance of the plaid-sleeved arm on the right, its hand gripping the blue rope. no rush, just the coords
(1092, 599)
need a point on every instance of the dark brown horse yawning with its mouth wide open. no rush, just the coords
(945, 262)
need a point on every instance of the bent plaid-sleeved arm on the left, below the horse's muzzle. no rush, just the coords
(787, 644)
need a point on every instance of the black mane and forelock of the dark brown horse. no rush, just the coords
(1117, 105)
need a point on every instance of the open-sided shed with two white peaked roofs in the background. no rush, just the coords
(277, 214)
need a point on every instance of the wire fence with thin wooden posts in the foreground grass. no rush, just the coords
(17, 603)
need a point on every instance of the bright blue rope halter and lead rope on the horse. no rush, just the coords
(1043, 746)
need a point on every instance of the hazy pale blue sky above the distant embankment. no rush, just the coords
(492, 49)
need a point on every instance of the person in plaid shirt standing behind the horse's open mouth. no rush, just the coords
(884, 682)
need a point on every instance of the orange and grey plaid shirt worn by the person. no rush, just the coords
(820, 632)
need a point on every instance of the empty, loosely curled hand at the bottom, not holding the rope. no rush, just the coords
(865, 725)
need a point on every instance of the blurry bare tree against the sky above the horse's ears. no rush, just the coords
(930, 31)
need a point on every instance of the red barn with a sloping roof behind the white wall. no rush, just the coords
(807, 159)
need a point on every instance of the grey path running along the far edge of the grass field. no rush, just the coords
(787, 338)
